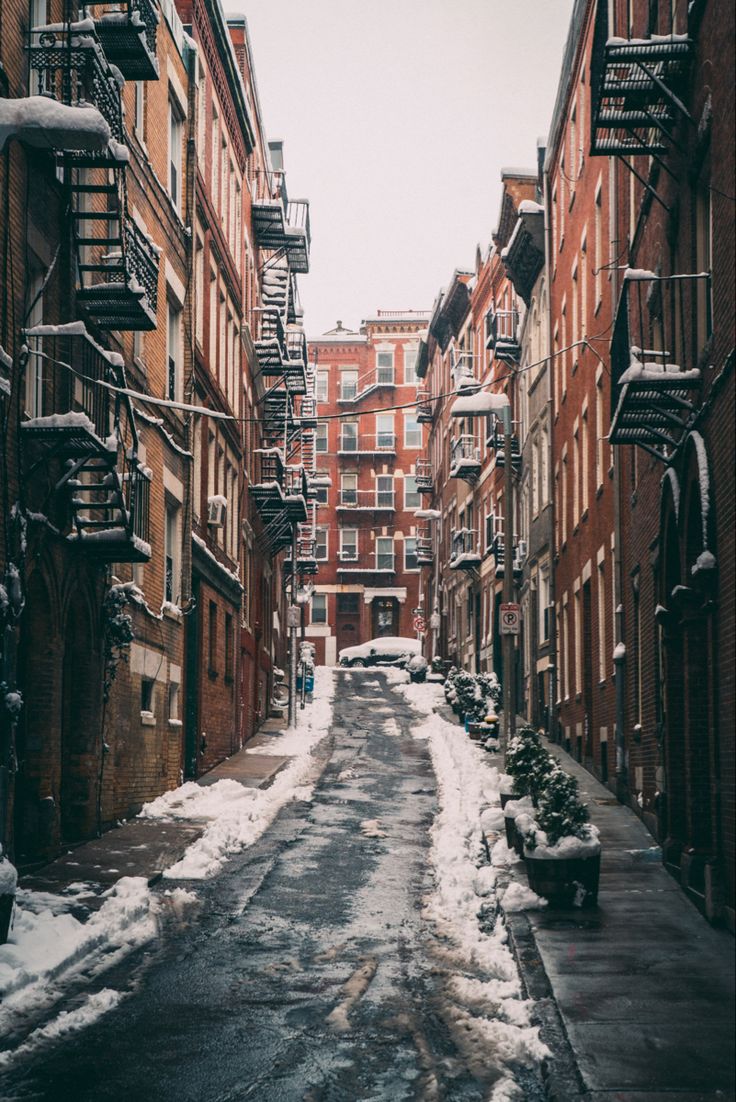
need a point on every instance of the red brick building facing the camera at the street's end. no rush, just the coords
(369, 442)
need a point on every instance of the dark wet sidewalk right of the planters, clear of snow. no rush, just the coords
(642, 987)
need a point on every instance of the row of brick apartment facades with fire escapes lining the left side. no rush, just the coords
(150, 323)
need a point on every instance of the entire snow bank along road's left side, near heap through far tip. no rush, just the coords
(49, 948)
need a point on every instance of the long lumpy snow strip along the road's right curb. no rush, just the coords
(490, 1019)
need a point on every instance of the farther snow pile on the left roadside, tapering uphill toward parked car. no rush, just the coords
(239, 816)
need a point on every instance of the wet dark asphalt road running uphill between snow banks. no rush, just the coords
(307, 973)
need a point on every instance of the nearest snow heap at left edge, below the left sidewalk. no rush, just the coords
(49, 947)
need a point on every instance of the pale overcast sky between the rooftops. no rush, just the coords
(398, 117)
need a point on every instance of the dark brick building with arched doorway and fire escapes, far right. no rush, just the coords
(672, 418)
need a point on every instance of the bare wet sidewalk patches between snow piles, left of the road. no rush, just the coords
(148, 847)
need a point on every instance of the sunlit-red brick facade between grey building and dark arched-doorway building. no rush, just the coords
(583, 254)
